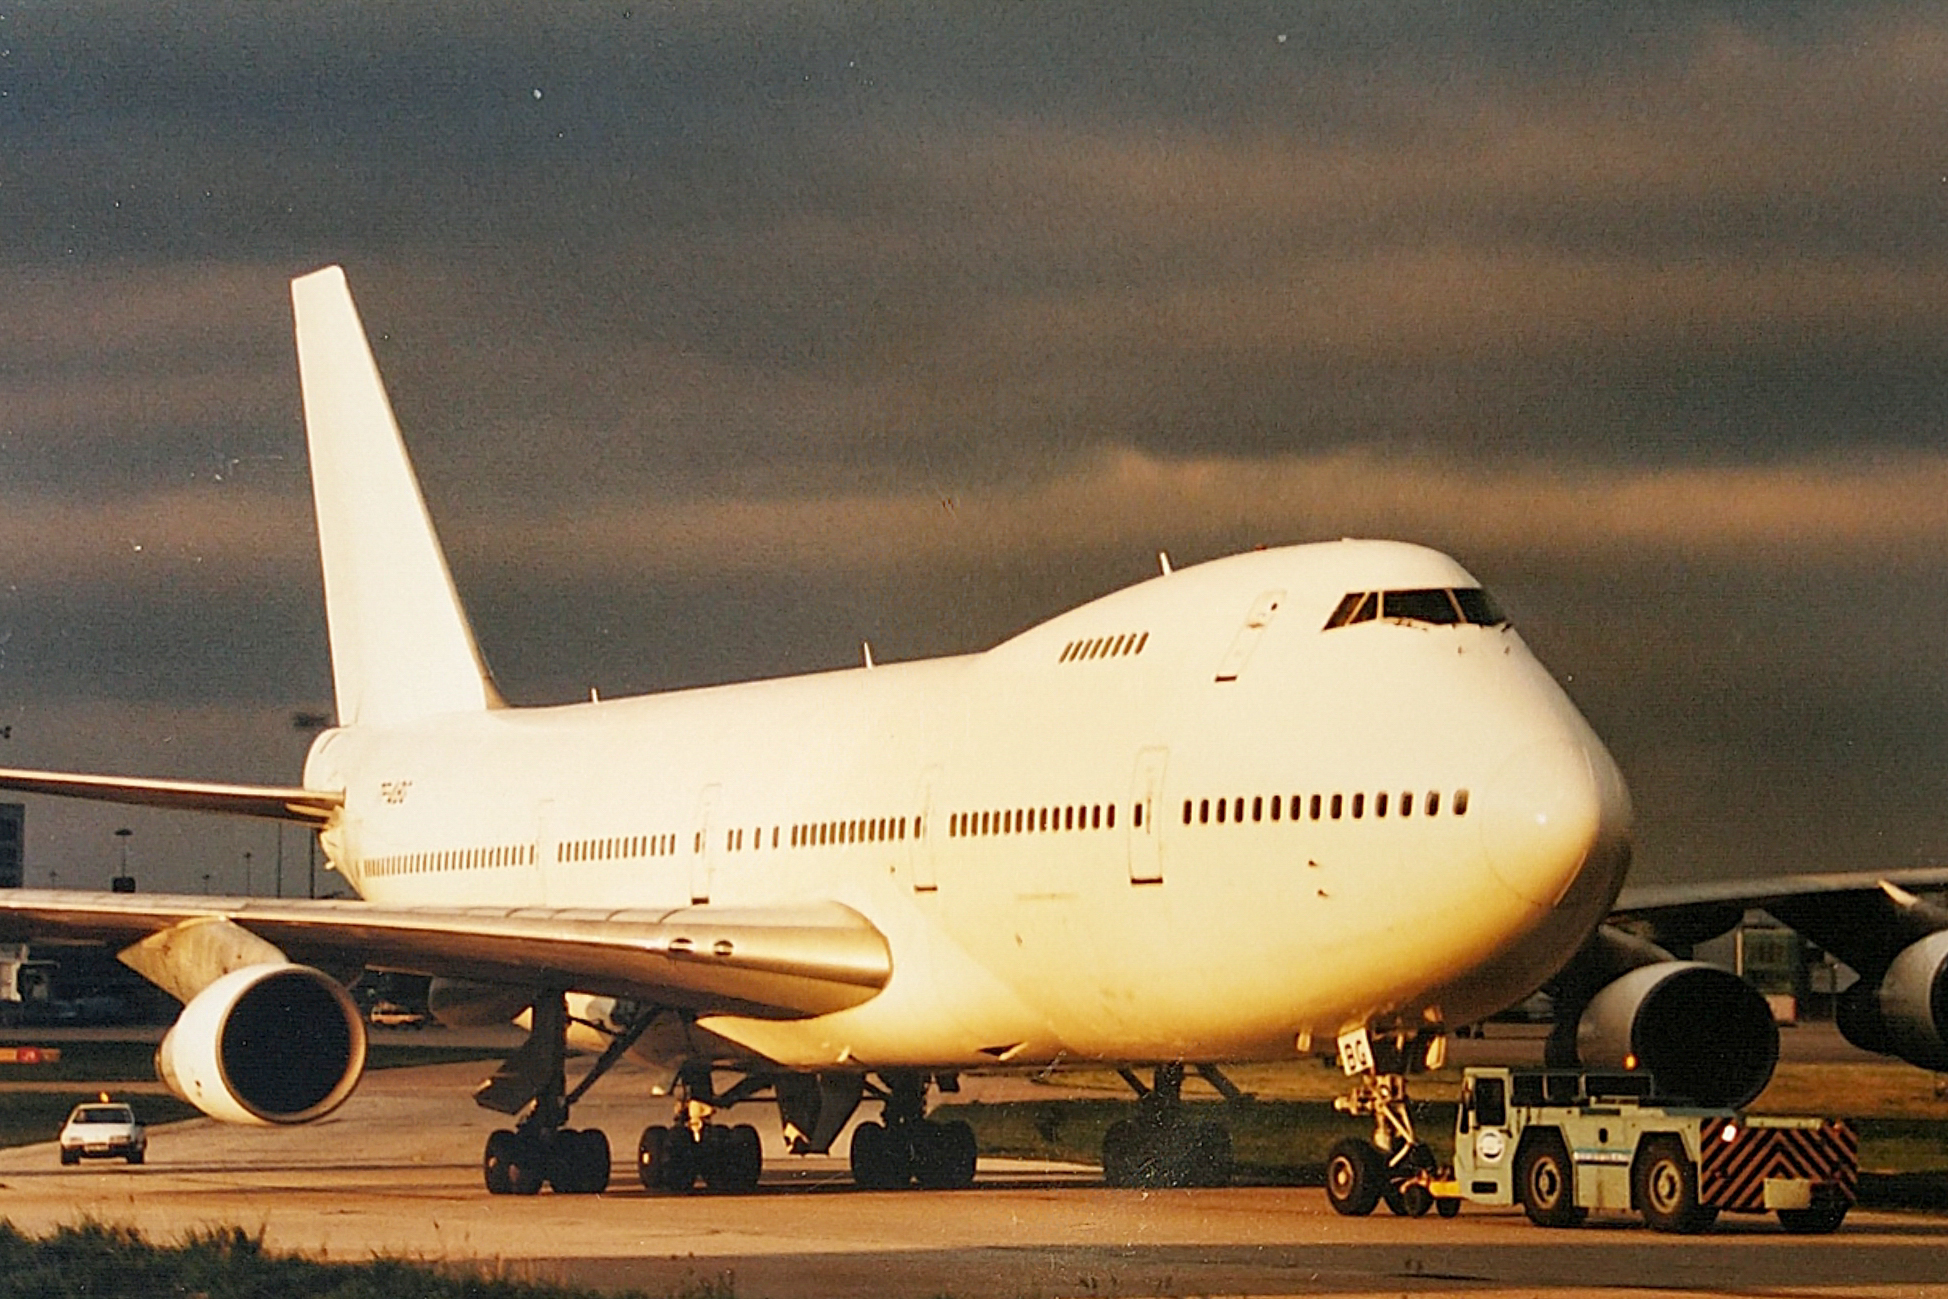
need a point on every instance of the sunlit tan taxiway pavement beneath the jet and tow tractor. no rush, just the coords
(398, 1173)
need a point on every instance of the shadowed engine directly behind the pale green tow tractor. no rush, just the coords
(1704, 1033)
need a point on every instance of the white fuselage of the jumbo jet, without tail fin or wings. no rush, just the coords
(1287, 831)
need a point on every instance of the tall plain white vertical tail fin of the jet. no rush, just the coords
(400, 644)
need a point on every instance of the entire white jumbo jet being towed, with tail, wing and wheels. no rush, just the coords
(1304, 799)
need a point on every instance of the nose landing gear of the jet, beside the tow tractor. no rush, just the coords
(1394, 1166)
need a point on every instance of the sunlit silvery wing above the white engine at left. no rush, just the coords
(768, 963)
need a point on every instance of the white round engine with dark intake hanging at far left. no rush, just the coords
(266, 1045)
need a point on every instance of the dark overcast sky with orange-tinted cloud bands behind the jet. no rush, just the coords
(696, 315)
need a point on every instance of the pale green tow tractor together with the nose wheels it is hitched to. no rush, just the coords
(1563, 1144)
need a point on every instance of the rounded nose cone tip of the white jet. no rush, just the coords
(1552, 811)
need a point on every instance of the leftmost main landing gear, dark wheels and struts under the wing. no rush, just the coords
(543, 1148)
